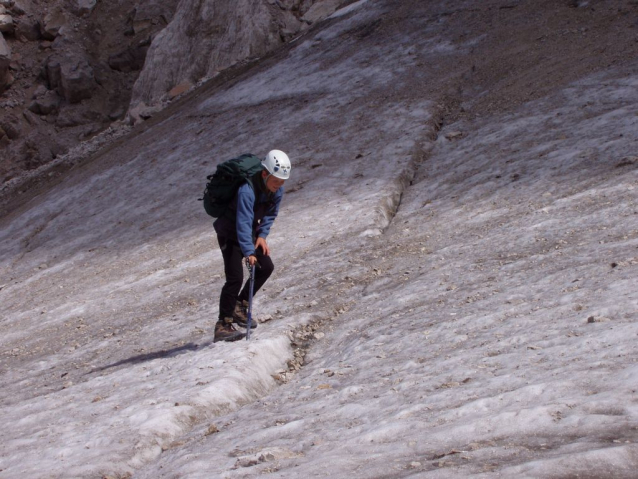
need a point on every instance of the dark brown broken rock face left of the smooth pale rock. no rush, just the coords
(67, 69)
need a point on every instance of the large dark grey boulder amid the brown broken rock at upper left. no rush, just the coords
(71, 76)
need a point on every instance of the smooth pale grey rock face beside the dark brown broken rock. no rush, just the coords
(206, 37)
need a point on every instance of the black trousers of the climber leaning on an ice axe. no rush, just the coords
(234, 269)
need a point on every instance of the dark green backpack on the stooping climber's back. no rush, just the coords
(224, 183)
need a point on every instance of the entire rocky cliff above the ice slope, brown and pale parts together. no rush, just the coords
(70, 69)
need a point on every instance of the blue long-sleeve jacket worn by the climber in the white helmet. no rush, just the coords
(254, 215)
